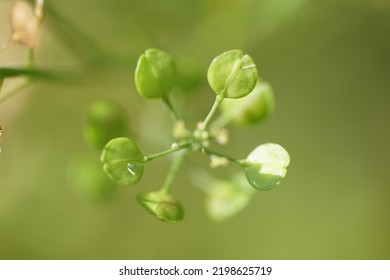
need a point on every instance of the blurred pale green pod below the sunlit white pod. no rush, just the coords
(226, 198)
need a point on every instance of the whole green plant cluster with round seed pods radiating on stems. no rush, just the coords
(242, 99)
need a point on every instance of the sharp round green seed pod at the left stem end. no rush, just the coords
(123, 161)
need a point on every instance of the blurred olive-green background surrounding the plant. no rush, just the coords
(329, 64)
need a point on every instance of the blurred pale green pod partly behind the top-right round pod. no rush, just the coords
(253, 108)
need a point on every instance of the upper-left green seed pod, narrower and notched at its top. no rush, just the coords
(155, 75)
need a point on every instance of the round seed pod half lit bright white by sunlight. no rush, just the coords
(267, 166)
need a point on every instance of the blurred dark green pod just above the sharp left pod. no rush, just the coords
(105, 120)
